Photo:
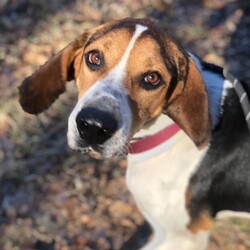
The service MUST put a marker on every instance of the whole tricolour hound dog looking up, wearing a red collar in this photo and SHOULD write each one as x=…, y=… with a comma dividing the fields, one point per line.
x=177, y=117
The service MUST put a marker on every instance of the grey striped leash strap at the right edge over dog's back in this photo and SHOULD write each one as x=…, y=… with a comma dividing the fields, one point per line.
x=241, y=93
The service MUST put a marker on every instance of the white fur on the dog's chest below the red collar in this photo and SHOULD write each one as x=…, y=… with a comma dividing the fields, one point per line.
x=159, y=185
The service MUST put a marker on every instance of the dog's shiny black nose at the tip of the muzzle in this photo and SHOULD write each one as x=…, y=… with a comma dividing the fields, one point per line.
x=95, y=126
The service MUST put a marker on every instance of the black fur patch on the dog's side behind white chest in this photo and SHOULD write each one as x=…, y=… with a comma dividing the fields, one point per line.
x=222, y=181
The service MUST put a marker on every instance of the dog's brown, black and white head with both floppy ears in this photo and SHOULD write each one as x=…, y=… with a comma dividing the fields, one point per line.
x=127, y=73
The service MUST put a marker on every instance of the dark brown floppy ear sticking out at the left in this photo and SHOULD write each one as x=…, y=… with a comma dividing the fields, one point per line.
x=39, y=91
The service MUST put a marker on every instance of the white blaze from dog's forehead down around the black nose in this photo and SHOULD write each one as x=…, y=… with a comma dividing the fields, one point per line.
x=110, y=89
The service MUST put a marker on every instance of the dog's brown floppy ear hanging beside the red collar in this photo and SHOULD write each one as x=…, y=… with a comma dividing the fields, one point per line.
x=190, y=109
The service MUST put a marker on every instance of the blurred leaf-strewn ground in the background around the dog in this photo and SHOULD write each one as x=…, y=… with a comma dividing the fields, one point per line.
x=52, y=198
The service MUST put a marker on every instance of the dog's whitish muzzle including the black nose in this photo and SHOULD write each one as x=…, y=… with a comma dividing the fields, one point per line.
x=101, y=122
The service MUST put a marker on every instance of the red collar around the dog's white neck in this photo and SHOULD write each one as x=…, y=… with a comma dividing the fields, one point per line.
x=149, y=142
